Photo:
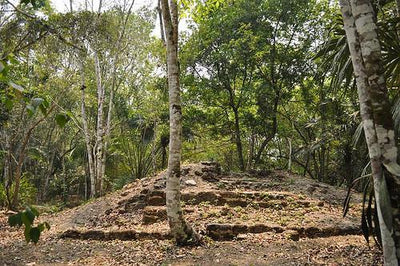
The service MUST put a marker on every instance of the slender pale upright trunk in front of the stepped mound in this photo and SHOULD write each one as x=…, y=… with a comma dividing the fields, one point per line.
x=182, y=232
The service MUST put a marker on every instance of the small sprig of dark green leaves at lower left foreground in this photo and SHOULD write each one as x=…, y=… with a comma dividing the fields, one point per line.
x=26, y=218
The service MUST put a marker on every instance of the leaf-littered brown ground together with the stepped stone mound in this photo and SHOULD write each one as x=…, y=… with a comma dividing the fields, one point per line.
x=256, y=218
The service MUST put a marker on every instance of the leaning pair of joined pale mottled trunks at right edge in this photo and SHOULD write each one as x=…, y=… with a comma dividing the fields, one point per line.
x=358, y=18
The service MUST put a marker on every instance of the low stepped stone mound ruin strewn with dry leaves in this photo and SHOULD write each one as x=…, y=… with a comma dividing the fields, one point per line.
x=219, y=205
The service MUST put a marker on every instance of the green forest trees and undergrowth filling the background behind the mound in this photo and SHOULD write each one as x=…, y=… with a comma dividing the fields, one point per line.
x=84, y=94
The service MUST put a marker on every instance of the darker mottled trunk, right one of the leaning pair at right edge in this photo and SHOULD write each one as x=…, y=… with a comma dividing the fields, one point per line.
x=371, y=53
